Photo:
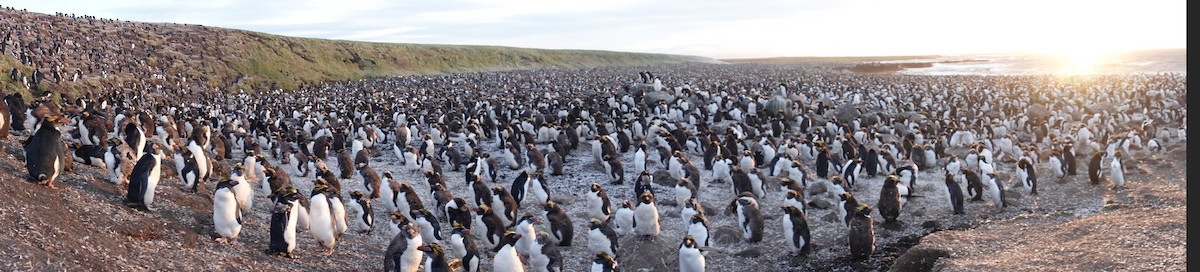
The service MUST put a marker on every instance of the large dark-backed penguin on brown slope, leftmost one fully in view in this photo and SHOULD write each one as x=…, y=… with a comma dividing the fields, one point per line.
x=45, y=153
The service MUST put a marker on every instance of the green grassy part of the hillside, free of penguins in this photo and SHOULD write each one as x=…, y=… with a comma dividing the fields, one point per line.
x=285, y=63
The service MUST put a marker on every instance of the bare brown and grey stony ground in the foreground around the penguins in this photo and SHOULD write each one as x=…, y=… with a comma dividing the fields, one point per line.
x=1071, y=227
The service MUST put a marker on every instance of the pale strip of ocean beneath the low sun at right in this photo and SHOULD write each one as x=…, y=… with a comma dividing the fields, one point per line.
x=1143, y=62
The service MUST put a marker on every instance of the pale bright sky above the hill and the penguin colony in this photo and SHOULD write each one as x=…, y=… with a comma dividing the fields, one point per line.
x=704, y=28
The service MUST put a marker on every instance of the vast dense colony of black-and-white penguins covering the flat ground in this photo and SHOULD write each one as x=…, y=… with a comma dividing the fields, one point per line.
x=467, y=180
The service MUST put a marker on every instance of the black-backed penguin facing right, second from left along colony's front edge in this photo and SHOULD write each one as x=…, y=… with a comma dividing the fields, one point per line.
x=145, y=179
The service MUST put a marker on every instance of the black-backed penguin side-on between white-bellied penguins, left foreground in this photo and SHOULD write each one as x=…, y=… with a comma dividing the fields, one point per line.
x=284, y=221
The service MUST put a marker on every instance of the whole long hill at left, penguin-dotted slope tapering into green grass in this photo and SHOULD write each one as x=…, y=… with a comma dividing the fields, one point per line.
x=115, y=55
